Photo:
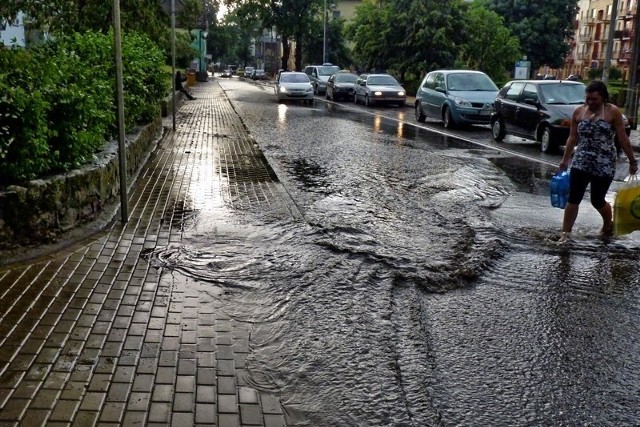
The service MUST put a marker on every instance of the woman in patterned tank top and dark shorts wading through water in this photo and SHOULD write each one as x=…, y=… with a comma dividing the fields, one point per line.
x=594, y=127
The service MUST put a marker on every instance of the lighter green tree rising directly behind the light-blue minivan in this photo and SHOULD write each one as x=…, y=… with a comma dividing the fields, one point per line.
x=489, y=45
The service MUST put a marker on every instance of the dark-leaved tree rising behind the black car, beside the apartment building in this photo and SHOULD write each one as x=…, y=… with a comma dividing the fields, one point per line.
x=542, y=27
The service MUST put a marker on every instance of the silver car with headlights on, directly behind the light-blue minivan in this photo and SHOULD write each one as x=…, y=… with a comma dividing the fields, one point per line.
x=375, y=89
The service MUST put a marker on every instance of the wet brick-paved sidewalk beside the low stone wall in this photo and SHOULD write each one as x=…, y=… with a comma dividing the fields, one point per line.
x=96, y=335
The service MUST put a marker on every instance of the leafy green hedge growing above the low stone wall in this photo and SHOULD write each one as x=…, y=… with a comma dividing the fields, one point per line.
x=57, y=100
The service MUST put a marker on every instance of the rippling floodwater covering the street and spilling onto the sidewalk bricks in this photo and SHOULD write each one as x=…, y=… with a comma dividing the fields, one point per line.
x=418, y=282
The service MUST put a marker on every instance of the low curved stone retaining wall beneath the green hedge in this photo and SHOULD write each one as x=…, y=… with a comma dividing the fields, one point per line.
x=43, y=209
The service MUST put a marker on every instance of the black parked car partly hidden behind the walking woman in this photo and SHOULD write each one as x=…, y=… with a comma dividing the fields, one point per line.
x=539, y=110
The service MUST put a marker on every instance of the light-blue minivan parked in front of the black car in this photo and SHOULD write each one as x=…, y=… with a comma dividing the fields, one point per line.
x=457, y=97
